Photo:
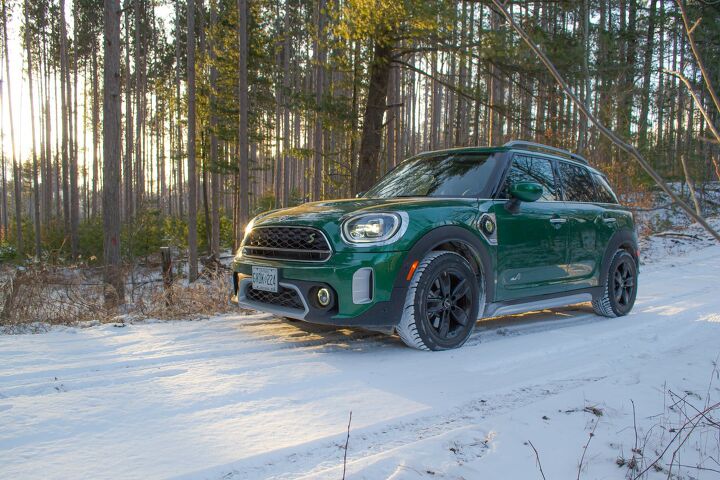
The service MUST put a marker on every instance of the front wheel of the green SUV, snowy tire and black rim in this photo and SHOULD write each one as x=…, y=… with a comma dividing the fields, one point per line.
x=441, y=305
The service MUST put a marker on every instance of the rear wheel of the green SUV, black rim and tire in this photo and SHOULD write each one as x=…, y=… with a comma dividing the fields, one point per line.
x=621, y=283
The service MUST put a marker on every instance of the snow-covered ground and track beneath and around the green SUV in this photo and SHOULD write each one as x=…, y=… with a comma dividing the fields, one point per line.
x=251, y=397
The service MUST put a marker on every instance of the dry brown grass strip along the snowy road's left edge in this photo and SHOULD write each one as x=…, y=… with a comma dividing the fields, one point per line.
x=38, y=296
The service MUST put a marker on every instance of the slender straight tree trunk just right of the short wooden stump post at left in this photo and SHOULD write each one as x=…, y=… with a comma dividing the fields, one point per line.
x=192, y=169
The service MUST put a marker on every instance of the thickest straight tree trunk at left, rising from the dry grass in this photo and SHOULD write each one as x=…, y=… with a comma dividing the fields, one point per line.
x=111, y=154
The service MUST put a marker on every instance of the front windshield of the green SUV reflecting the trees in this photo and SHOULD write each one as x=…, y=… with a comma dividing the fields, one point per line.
x=438, y=175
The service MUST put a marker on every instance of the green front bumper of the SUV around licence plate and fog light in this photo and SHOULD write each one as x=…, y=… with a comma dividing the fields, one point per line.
x=298, y=283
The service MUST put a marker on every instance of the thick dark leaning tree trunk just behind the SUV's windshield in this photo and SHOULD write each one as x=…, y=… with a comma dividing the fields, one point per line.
x=371, y=141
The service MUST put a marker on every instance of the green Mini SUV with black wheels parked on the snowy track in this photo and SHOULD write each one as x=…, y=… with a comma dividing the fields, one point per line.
x=444, y=239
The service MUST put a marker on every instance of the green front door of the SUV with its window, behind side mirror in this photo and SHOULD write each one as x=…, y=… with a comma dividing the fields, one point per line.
x=532, y=243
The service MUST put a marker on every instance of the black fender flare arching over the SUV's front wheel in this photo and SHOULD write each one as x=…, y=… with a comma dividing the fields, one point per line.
x=445, y=234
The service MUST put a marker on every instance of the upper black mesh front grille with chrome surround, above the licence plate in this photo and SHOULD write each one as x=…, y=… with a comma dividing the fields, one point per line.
x=287, y=243
